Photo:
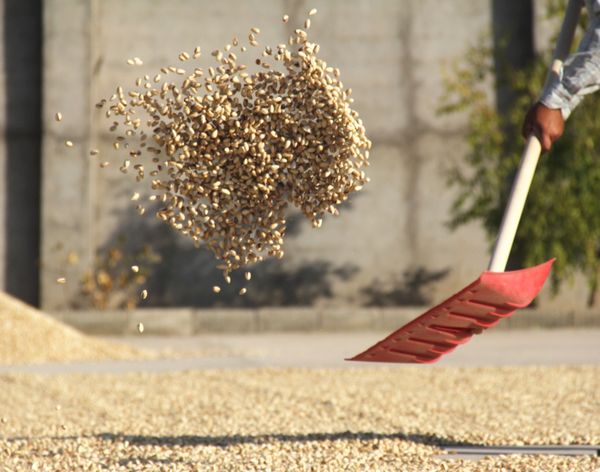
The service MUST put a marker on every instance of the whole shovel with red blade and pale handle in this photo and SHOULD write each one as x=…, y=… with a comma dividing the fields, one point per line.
x=495, y=294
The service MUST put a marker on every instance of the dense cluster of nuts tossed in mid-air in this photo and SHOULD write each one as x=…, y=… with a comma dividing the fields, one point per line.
x=228, y=147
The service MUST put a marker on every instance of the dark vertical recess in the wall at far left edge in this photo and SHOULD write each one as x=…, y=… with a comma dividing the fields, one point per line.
x=22, y=70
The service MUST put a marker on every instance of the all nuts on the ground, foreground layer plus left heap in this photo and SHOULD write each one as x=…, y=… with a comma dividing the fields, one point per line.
x=110, y=408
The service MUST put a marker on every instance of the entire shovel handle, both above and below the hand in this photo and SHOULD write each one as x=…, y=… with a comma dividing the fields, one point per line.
x=532, y=151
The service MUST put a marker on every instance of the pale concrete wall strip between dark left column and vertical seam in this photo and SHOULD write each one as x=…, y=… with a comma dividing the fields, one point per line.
x=68, y=184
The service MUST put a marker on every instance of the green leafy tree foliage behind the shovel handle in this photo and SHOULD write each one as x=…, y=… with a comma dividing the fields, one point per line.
x=562, y=215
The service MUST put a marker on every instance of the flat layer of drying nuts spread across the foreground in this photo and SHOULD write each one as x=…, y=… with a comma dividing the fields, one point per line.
x=296, y=419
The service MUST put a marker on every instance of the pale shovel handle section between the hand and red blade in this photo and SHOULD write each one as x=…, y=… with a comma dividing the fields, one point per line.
x=516, y=203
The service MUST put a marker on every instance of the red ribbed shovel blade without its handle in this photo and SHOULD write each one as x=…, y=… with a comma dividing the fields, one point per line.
x=481, y=305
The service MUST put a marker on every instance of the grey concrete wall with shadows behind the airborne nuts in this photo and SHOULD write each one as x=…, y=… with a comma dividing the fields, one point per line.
x=390, y=243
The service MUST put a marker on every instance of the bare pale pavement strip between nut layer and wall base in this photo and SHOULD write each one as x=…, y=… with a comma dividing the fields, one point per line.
x=317, y=350
